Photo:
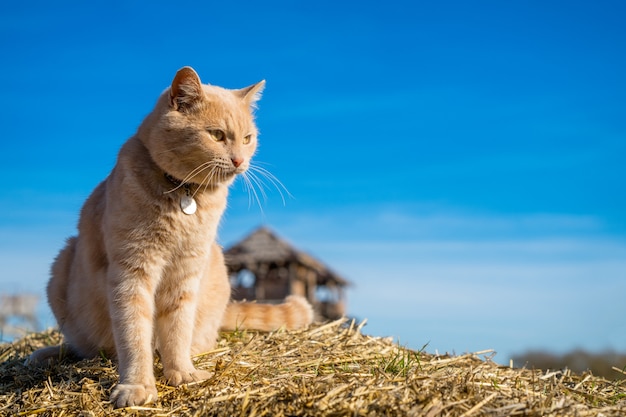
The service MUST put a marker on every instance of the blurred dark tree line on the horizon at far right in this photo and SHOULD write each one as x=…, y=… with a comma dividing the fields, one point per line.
x=599, y=364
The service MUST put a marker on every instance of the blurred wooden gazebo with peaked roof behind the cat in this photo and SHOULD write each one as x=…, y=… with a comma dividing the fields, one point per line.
x=265, y=268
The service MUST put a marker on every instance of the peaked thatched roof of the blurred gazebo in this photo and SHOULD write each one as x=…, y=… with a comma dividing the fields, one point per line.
x=264, y=247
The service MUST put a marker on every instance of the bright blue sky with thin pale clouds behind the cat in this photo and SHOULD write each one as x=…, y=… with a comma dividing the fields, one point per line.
x=461, y=162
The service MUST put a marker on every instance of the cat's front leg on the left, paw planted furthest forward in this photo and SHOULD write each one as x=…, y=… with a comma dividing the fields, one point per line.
x=131, y=305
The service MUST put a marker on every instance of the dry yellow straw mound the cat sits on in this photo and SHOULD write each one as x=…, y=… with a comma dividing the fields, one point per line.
x=329, y=370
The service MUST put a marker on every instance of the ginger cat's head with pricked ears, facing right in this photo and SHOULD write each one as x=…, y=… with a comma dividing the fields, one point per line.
x=203, y=134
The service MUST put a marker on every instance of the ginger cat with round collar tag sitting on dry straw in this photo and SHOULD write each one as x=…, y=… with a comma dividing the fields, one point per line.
x=144, y=272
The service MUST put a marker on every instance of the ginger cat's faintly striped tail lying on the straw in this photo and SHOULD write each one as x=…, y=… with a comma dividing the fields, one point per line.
x=294, y=313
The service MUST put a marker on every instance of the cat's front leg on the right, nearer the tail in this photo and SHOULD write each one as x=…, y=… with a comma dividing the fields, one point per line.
x=176, y=305
